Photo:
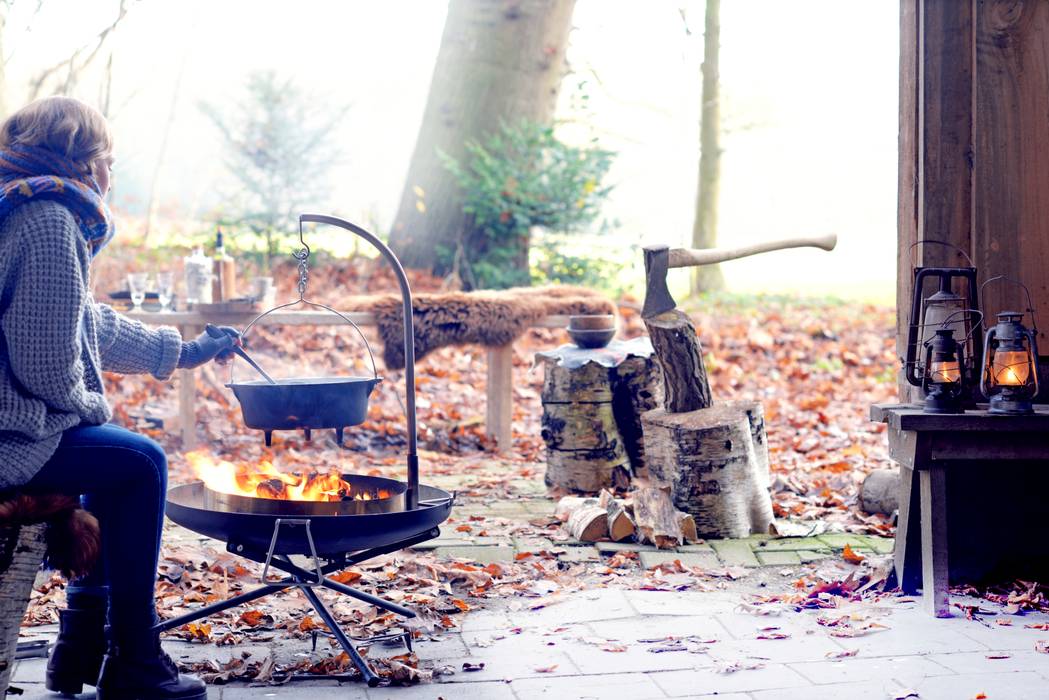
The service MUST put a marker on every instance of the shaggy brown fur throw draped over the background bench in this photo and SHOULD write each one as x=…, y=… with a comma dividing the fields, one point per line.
x=490, y=319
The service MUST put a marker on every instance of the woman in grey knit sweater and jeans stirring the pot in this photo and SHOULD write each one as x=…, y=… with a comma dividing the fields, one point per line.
x=56, y=159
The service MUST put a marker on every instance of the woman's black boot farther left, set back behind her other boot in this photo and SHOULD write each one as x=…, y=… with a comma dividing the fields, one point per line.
x=77, y=657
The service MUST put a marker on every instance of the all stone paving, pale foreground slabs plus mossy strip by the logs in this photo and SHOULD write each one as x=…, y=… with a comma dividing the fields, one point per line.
x=596, y=645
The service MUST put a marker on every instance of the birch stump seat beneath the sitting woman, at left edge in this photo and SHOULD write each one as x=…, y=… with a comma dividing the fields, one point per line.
x=22, y=554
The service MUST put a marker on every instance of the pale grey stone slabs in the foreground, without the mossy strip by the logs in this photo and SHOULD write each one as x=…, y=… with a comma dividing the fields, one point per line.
x=563, y=652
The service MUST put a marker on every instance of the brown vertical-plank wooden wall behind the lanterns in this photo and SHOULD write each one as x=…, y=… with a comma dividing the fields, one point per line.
x=974, y=166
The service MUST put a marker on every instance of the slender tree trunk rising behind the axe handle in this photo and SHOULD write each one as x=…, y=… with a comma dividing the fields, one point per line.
x=709, y=278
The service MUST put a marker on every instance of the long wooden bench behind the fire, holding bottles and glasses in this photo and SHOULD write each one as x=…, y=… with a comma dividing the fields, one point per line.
x=499, y=412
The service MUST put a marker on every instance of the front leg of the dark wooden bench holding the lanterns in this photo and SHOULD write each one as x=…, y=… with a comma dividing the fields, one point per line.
x=934, y=542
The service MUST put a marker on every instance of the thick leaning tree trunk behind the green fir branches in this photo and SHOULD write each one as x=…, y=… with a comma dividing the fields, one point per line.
x=499, y=62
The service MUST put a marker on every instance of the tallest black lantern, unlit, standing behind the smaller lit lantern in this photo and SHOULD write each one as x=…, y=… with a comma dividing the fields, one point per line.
x=953, y=305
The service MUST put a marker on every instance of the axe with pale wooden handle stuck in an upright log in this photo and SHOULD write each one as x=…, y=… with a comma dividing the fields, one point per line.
x=660, y=259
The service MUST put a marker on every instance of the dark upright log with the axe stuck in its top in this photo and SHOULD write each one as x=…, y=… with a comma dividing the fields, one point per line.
x=680, y=355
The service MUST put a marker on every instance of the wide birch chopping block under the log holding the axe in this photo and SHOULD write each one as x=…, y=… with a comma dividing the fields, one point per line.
x=715, y=462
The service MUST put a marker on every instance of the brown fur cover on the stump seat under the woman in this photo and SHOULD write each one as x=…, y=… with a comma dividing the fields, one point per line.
x=73, y=534
